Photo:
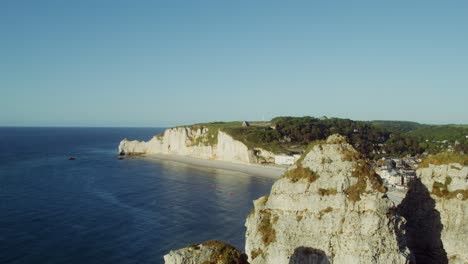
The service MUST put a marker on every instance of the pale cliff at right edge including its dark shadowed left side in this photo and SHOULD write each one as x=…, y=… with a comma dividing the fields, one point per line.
x=436, y=209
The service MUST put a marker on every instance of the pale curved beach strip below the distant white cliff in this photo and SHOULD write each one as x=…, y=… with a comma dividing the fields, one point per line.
x=270, y=171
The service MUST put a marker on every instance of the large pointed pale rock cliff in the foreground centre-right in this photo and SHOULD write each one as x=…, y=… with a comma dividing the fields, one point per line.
x=329, y=208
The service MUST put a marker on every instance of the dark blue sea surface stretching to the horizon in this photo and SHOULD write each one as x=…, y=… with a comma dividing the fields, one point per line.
x=99, y=209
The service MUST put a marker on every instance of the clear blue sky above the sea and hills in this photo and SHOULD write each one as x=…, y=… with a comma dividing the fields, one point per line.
x=163, y=63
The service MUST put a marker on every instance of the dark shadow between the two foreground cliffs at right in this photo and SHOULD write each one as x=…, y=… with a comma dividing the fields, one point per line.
x=423, y=226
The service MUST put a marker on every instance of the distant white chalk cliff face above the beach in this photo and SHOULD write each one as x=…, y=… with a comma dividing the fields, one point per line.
x=201, y=142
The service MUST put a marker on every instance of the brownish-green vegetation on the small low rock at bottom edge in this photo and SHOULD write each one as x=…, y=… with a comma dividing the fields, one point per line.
x=225, y=253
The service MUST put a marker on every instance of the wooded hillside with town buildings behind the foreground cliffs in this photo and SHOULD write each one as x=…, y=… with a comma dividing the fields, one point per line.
x=394, y=148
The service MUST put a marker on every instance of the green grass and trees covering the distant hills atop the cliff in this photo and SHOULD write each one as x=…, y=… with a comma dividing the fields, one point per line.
x=396, y=138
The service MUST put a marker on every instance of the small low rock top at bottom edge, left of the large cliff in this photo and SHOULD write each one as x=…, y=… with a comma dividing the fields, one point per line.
x=210, y=252
